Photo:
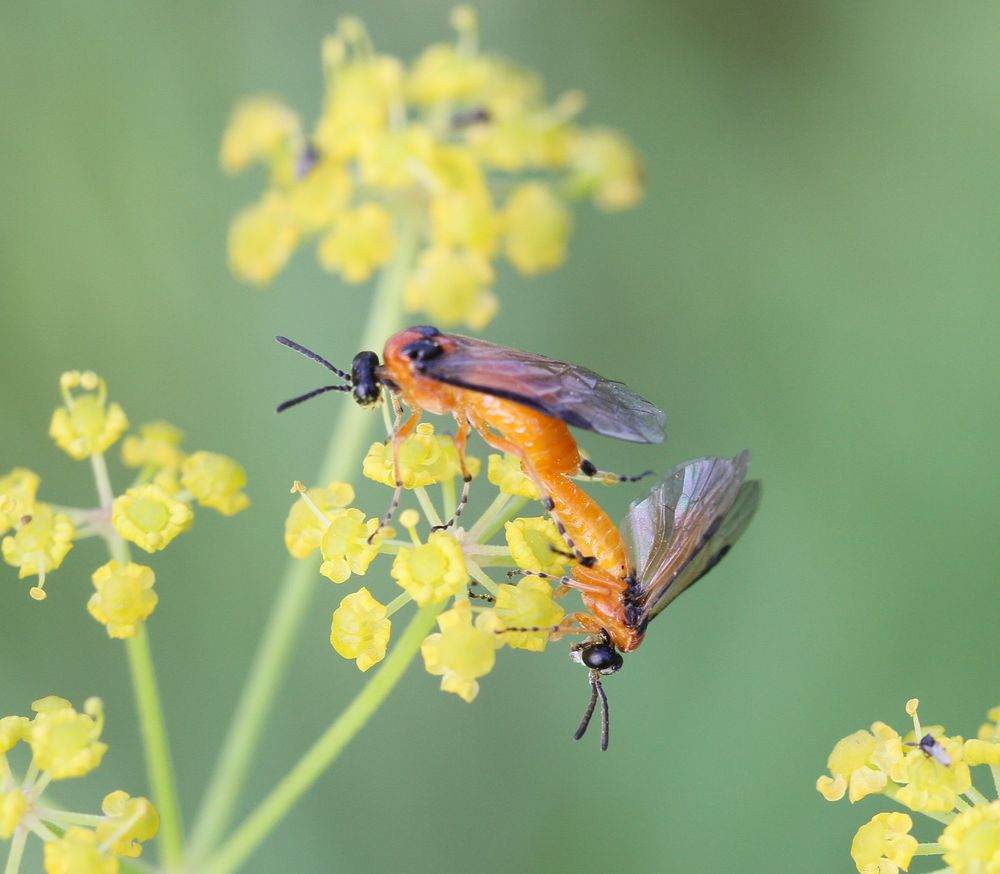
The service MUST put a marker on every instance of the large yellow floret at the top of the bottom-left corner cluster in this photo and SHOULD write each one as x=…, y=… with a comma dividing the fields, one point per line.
x=64, y=742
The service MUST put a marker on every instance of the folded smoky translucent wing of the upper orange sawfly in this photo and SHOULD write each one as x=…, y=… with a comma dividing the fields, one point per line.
x=574, y=394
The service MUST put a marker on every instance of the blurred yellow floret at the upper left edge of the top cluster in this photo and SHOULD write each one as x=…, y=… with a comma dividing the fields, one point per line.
x=260, y=128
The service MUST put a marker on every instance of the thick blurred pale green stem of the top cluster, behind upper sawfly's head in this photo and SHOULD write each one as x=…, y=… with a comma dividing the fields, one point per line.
x=347, y=443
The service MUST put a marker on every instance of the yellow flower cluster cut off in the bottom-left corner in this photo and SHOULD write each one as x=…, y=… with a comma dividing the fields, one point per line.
x=65, y=744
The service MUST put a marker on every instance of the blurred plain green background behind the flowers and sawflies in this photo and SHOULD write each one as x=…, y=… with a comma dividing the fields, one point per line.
x=813, y=275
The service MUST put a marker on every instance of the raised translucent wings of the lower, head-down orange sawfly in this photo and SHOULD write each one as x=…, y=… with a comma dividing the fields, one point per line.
x=685, y=526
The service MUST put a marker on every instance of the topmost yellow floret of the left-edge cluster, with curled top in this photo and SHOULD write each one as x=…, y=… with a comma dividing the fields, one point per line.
x=87, y=424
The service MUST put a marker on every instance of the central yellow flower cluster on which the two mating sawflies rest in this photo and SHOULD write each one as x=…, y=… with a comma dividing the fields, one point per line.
x=437, y=569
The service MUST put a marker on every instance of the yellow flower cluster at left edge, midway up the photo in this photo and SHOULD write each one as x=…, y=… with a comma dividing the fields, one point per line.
x=150, y=514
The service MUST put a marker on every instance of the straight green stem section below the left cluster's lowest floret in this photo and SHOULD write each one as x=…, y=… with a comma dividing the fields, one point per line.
x=154, y=737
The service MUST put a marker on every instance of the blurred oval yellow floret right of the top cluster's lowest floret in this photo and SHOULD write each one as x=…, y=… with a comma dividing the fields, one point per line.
x=537, y=225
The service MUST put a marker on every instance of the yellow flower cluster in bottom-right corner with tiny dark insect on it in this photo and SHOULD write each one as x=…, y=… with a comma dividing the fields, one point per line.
x=928, y=772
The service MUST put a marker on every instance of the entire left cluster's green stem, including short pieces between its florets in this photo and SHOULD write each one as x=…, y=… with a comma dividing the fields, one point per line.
x=159, y=766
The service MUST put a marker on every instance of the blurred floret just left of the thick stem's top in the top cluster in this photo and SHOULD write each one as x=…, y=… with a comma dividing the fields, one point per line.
x=361, y=240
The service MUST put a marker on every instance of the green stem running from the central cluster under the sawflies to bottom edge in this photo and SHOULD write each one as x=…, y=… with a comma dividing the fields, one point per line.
x=325, y=751
